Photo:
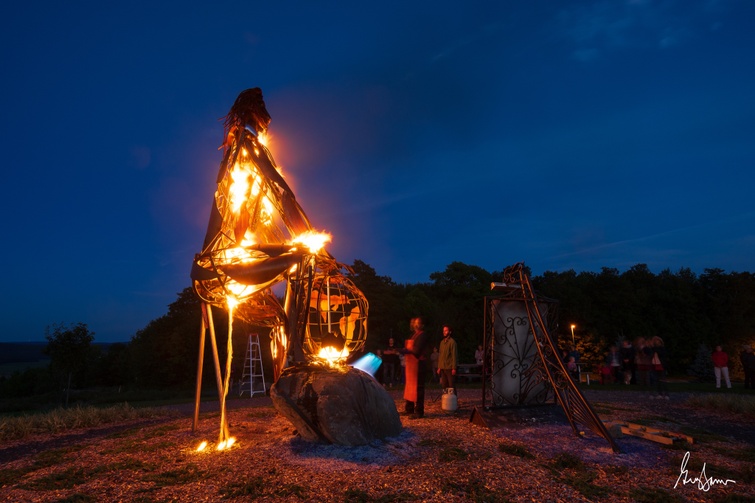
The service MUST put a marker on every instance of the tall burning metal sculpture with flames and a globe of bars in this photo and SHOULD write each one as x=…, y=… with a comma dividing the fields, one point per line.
x=259, y=237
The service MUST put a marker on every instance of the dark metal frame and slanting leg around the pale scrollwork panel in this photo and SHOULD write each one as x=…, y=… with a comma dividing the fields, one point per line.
x=547, y=368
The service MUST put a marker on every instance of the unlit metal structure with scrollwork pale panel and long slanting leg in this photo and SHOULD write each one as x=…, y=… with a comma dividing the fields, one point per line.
x=522, y=363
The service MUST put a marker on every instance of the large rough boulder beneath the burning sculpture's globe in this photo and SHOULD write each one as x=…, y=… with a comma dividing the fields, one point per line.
x=335, y=405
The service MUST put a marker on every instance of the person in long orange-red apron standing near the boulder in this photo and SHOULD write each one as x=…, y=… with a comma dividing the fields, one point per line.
x=416, y=368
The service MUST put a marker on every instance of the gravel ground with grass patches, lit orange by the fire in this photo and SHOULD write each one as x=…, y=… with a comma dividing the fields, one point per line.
x=529, y=455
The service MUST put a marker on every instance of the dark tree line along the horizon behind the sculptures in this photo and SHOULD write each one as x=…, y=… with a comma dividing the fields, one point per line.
x=692, y=313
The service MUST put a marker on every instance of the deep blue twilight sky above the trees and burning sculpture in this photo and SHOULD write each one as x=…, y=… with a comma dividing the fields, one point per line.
x=565, y=134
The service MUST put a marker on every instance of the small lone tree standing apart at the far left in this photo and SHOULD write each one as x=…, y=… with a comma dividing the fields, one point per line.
x=70, y=351
